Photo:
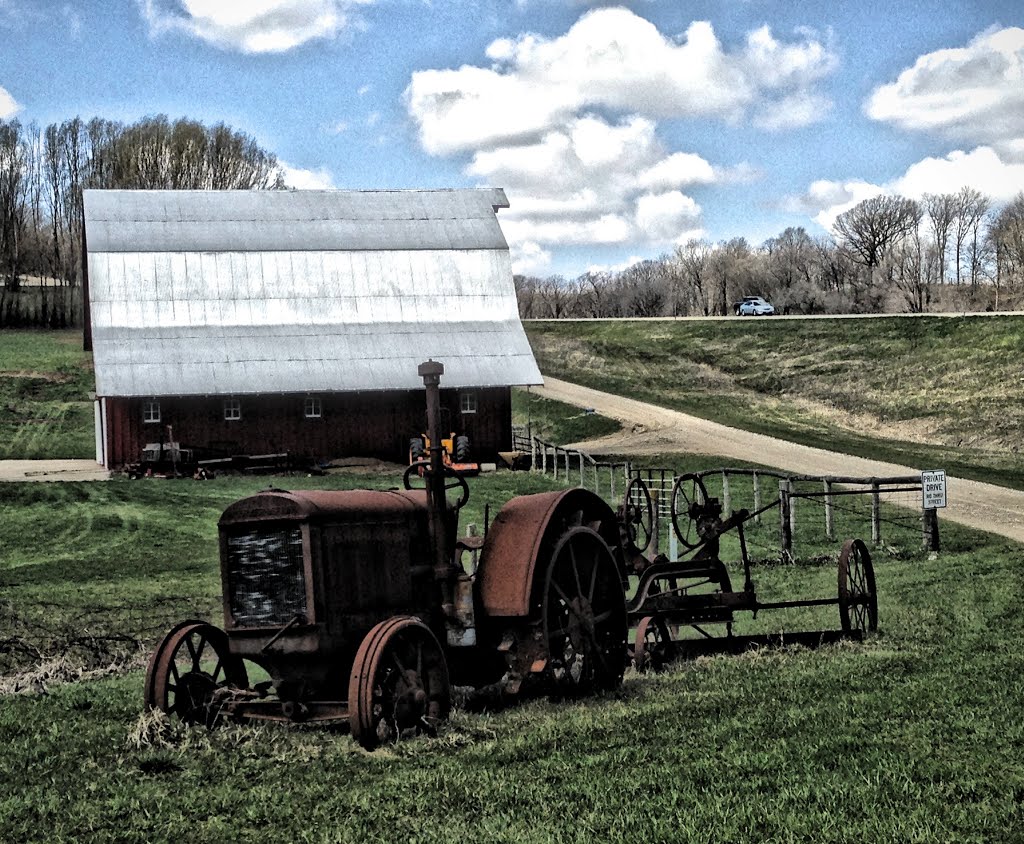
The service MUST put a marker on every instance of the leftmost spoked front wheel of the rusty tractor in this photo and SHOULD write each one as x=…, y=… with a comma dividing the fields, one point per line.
x=188, y=671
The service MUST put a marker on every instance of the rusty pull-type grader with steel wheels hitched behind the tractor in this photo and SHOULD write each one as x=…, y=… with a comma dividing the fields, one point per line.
x=694, y=595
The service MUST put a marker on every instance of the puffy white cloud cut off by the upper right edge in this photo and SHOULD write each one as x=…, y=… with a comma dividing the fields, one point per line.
x=975, y=93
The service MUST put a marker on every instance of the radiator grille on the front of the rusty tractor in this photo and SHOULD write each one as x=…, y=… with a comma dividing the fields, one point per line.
x=266, y=577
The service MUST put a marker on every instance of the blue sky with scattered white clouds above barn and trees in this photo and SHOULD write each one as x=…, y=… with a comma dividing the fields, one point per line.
x=618, y=131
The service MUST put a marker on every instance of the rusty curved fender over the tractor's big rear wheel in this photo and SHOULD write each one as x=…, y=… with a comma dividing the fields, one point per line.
x=522, y=539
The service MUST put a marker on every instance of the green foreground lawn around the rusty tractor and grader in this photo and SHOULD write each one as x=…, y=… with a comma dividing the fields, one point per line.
x=914, y=736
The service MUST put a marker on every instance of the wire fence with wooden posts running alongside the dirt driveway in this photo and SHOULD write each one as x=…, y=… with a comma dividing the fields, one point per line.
x=791, y=516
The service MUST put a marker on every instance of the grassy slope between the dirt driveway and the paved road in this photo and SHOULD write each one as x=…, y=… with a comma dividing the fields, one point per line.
x=926, y=393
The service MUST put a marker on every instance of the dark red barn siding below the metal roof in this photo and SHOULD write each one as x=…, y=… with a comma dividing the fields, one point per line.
x=361, y=425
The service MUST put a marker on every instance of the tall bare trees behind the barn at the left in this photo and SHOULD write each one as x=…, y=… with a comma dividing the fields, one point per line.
x=45, y=171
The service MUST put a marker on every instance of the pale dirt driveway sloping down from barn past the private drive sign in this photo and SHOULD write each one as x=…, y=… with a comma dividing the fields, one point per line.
x=651, y=430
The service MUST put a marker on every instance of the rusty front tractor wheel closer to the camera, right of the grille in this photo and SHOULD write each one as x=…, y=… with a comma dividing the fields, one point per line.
x=400, y=684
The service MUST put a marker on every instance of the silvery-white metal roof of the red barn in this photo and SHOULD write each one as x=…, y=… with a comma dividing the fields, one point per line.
x=242, y=292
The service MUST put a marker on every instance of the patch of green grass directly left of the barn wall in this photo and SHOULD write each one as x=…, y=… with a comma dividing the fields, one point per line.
x=46, y=411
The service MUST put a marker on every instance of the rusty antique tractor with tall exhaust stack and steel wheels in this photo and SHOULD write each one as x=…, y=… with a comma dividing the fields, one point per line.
x=364, y=607
